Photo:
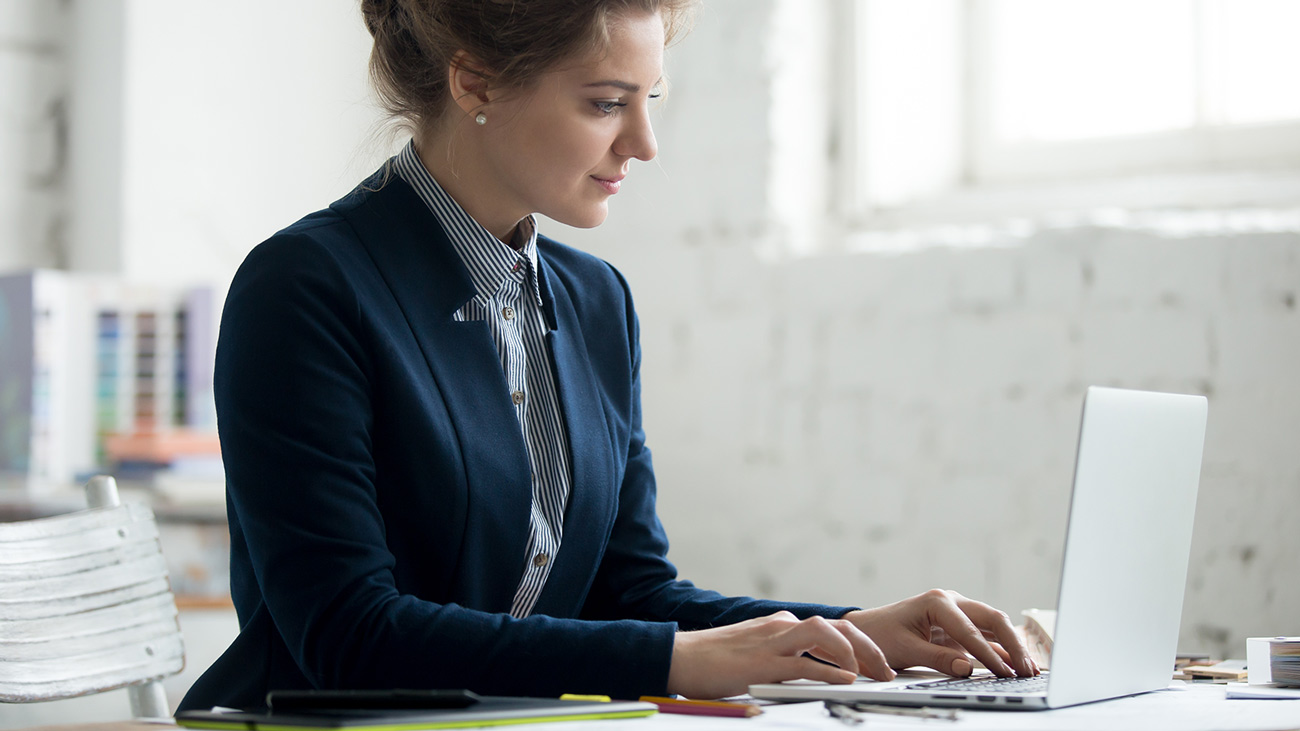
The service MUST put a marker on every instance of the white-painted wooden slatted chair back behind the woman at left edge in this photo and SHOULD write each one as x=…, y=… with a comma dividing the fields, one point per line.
x=86, y=607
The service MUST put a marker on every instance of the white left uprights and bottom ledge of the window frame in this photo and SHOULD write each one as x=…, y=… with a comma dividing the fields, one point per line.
x=1030, y=178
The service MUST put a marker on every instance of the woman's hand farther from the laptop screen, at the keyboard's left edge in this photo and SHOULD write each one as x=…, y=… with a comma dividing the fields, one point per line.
x=725, y=661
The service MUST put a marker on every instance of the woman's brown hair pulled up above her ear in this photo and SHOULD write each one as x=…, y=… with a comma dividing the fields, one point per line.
x=514, y=41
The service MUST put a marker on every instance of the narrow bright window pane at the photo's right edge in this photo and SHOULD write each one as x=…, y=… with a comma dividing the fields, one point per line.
x=1263, y=60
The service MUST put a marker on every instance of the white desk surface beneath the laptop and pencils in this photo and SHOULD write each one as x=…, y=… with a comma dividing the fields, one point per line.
x=1197, y=708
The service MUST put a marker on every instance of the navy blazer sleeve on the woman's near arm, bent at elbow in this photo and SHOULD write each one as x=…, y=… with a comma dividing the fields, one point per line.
x=296, y=419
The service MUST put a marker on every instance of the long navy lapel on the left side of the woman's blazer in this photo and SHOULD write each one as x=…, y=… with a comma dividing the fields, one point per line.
x=431, y=284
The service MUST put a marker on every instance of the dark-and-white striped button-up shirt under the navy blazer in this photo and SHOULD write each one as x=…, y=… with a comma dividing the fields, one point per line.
x=509, y=300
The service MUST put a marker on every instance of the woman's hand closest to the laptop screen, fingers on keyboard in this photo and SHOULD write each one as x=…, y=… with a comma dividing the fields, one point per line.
x=939, y=629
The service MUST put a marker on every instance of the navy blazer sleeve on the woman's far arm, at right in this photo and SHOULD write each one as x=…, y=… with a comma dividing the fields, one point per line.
x=636, y=579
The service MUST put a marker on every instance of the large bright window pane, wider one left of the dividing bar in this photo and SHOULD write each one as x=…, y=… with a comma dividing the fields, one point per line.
x=1067, y=70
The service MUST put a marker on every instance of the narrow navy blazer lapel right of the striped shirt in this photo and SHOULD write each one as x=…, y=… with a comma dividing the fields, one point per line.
x=593, y=498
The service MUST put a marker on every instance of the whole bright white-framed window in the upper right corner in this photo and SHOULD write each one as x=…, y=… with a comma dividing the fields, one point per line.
x=963, y=94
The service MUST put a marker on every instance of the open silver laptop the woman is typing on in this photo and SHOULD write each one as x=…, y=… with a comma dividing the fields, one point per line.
x=1121, y=598
